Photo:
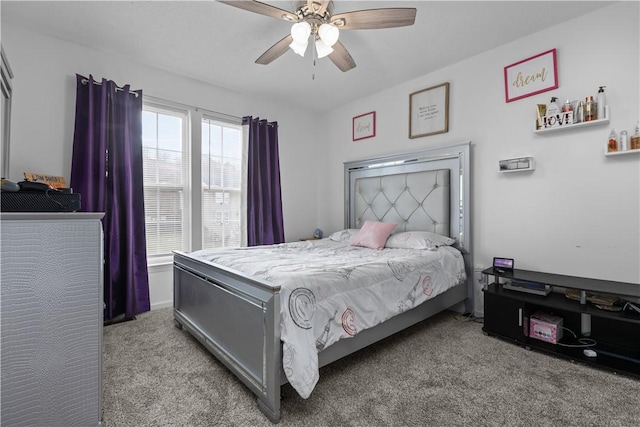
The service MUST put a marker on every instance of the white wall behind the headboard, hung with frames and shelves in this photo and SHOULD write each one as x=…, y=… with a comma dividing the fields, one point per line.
x=578, y=212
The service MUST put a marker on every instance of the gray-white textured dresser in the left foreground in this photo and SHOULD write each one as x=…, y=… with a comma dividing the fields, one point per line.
x=51, y=319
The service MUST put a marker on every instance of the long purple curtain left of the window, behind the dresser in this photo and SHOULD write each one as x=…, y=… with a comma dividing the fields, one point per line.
x=106, y=169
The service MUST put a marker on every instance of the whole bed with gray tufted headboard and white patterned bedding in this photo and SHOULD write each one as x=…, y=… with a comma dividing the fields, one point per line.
x=241, y=315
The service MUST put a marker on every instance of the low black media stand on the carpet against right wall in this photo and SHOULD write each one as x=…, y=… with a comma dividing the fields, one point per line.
x=617, y=334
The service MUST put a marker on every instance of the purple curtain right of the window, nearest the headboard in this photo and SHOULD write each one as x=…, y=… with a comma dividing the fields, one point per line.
x=264, y=199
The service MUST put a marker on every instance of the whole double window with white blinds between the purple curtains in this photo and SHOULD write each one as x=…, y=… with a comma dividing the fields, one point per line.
x=185, y=217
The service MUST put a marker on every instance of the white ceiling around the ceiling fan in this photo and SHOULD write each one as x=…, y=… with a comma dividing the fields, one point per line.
x=218, y=44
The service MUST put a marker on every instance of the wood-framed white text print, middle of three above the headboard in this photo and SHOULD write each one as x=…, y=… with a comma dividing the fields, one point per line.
x=429, y=111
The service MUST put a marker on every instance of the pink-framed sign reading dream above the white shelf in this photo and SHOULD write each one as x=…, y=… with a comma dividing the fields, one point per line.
x=531, y=76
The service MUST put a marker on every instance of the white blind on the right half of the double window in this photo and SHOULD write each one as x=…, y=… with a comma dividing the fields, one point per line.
x=221, y=183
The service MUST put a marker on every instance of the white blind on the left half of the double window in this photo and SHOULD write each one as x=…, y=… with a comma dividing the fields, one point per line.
x=165, y=146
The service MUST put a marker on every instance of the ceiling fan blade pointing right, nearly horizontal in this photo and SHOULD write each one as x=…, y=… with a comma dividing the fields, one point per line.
x=375, y=18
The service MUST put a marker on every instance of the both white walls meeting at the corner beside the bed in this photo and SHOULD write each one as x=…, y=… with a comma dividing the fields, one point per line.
x=577, y=213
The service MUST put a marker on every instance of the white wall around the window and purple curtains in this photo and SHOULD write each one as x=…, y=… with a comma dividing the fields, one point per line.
x=43, y=120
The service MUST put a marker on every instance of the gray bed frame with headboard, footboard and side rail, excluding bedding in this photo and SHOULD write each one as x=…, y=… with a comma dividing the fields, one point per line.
x=237, y=317
